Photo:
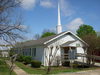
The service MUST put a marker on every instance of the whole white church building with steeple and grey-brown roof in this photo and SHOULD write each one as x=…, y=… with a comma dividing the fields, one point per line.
x=65, y=45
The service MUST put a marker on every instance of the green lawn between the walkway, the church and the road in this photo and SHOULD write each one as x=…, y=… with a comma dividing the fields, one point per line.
x=54, y=70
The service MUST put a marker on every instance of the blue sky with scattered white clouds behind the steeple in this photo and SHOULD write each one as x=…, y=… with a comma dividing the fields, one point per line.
x=39, y=15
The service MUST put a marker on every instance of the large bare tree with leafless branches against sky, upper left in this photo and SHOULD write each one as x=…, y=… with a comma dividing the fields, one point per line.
x=10, y=26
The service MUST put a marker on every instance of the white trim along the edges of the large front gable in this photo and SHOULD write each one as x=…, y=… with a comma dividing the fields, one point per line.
x=62, y=35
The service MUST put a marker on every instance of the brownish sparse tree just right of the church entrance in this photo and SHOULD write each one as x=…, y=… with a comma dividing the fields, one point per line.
x=92, y=41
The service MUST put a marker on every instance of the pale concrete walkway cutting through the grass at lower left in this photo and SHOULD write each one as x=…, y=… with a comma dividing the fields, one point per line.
x=16, y=69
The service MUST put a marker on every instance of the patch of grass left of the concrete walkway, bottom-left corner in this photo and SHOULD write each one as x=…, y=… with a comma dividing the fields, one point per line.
x=4, y=68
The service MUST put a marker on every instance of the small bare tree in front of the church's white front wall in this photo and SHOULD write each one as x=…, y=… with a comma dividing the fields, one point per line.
x=51, y=56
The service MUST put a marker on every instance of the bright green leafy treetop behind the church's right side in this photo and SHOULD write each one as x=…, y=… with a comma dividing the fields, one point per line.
x=85, y=30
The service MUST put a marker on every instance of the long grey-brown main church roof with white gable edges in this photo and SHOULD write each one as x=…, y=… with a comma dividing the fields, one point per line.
x=43, y=41
